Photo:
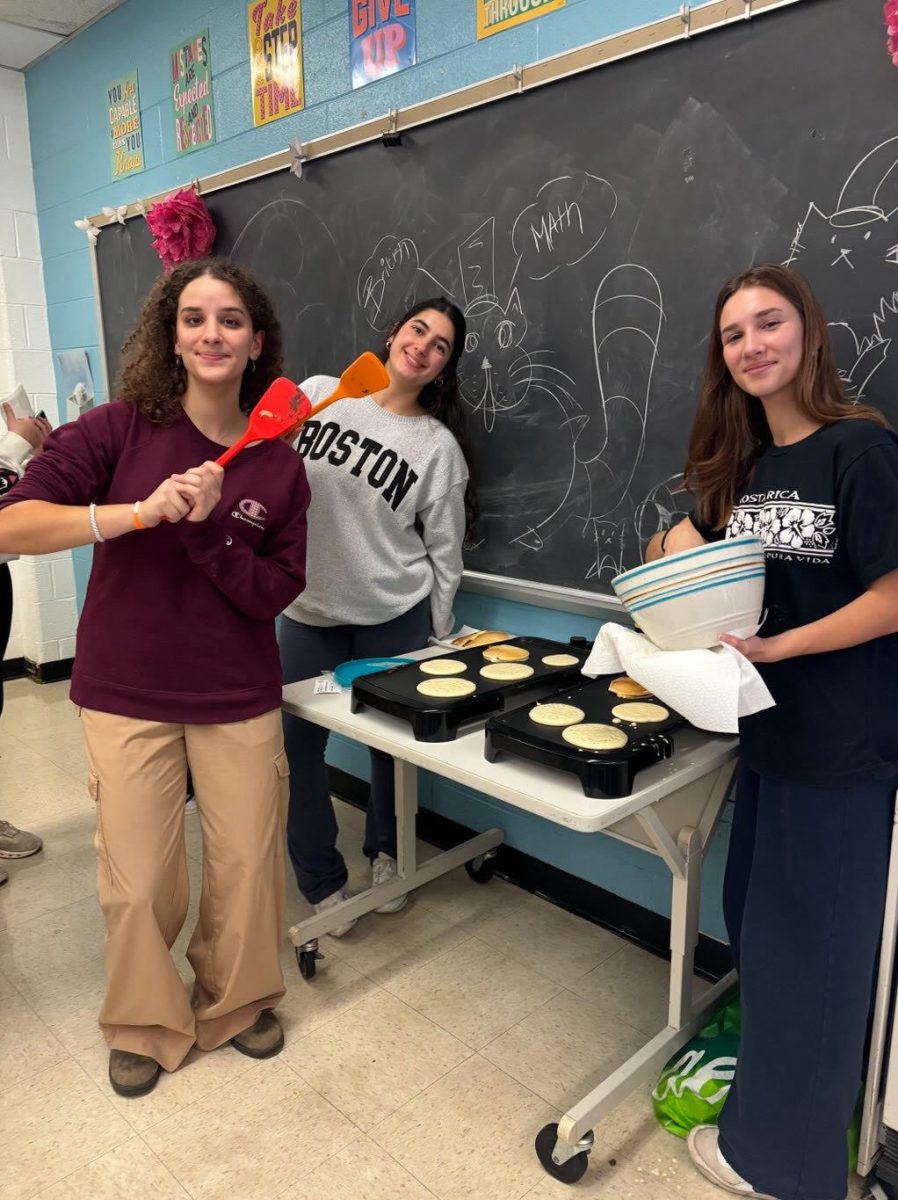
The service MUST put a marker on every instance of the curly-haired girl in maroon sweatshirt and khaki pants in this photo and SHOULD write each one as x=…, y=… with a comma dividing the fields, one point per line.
x=177, y=665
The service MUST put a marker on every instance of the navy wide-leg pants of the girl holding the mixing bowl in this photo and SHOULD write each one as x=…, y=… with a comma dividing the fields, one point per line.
x=804, y=901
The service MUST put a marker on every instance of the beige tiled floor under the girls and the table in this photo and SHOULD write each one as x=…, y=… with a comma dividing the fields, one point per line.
x=421, y=1064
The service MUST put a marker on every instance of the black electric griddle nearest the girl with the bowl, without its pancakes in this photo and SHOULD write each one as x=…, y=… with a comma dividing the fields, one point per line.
x=601, y=772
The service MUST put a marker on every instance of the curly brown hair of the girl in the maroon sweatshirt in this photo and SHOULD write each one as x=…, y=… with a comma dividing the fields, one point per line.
x=152, y=379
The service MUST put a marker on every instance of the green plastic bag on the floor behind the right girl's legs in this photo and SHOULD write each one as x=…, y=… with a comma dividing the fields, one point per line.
x=696, y=1083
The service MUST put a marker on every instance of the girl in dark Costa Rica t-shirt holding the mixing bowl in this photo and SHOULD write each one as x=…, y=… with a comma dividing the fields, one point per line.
x=777, y=449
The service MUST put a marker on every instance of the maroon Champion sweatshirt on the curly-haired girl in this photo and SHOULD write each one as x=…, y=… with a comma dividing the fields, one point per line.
x=179, y=621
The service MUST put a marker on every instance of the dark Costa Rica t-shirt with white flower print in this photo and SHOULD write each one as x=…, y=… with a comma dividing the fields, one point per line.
x=827, y=509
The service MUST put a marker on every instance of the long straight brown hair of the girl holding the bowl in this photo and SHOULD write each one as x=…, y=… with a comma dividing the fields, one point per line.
x=731, y=430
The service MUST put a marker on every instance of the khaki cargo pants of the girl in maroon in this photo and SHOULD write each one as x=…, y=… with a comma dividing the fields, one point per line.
x=139, y=782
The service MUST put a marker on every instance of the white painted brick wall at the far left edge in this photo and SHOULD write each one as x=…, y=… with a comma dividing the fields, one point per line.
x=45, y=614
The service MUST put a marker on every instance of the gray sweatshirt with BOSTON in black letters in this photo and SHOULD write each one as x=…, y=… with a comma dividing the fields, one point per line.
x=387, y=518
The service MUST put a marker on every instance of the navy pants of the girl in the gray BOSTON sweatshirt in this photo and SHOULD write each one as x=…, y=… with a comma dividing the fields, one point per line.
x=312, y=825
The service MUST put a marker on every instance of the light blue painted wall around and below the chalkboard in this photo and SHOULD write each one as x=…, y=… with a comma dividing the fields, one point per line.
x=71, y=169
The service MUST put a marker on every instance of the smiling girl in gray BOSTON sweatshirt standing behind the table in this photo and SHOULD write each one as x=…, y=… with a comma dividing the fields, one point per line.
x=391, y=502
